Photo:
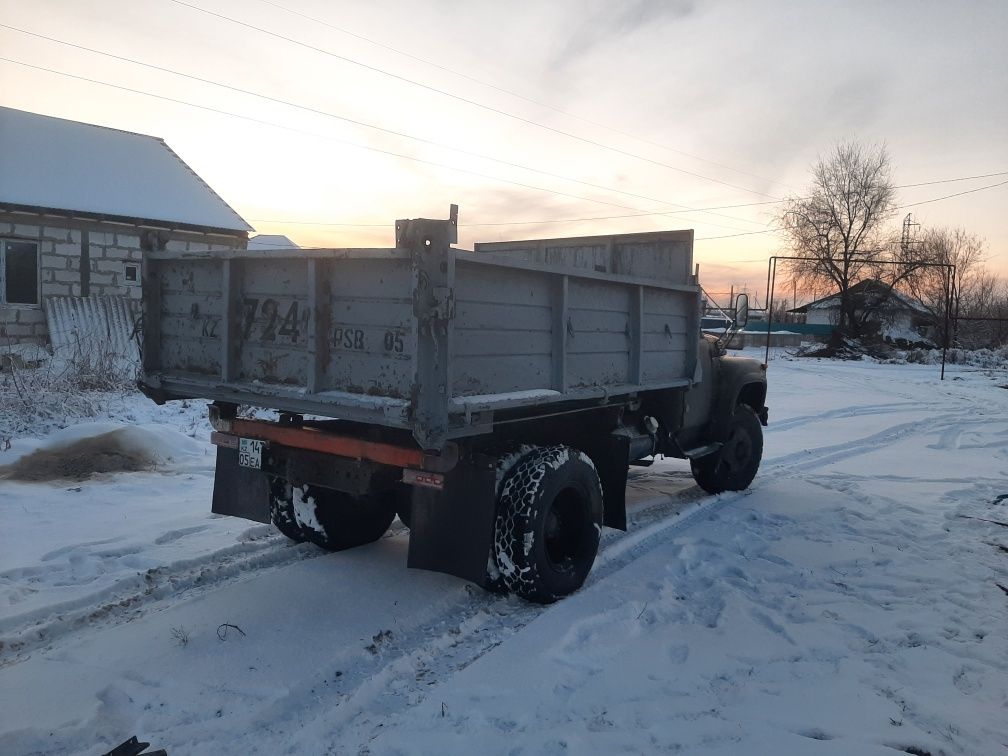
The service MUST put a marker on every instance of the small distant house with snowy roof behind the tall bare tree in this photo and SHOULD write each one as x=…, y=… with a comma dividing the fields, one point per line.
x=898, y=316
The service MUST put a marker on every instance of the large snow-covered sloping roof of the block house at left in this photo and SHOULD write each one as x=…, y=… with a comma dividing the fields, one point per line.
x=58, y=165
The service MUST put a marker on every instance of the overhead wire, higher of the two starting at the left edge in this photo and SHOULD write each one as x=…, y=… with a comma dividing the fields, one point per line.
x=346, y=119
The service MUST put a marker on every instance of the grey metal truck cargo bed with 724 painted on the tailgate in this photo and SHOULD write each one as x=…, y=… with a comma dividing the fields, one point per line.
x=424, y=337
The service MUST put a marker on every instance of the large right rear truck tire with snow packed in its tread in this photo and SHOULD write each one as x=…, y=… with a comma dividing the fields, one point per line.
x=549, y=523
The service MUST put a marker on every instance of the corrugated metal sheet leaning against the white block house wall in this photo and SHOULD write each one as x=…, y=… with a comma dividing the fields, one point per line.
x=79, y=323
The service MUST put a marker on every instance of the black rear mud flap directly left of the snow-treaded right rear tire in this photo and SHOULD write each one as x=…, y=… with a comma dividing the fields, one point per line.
x=452, y=531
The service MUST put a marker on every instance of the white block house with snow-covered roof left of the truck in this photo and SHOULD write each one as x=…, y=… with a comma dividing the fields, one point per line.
x=79, y=207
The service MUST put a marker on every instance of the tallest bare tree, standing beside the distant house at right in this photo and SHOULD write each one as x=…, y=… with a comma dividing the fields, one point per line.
x=839, y=227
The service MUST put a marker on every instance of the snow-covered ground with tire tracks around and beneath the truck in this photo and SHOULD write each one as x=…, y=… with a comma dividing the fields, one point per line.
x=855, y=601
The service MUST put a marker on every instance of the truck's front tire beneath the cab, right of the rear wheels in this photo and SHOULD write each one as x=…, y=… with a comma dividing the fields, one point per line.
x=734, y=466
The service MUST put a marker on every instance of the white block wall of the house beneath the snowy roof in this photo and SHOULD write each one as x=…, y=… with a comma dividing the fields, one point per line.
x=65, y=270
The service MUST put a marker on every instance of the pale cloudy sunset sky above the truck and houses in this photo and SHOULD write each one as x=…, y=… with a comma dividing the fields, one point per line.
x=326, y=121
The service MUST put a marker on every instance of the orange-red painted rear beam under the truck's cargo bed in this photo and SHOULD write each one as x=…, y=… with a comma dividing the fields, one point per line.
x=315, y=440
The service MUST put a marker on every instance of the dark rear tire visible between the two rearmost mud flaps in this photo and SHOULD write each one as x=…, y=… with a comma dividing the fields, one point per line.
x=336, y=522
